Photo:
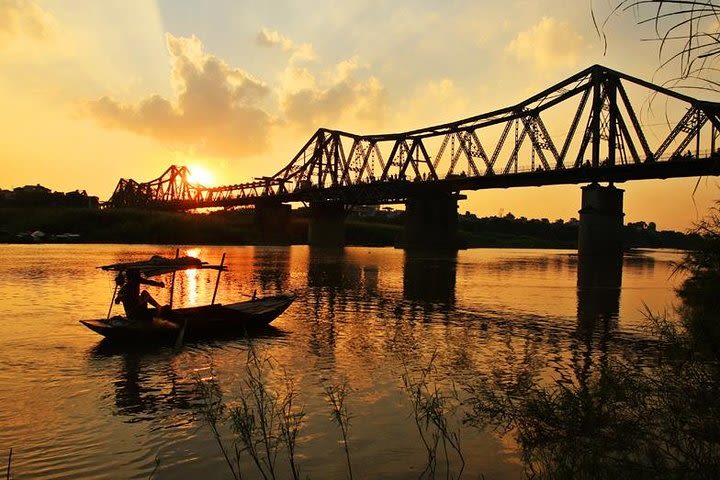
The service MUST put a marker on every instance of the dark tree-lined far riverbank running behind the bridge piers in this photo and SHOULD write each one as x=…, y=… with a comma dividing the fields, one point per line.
x=61, y=224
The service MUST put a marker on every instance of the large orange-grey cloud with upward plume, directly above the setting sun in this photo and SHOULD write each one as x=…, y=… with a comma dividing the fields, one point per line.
x=215, y=109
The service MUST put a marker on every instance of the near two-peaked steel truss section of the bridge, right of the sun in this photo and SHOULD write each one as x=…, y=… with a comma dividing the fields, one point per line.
x=612, y=135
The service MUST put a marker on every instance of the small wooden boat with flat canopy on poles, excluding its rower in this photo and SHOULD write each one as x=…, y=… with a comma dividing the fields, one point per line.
x=190, y=322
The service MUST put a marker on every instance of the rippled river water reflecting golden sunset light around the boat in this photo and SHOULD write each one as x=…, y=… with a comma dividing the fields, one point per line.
x=72, y=407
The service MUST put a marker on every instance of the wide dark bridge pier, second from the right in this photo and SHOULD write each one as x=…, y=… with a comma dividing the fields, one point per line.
x=431, y=222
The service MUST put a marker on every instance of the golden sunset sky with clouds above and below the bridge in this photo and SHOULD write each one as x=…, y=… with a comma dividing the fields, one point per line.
x=94, y=91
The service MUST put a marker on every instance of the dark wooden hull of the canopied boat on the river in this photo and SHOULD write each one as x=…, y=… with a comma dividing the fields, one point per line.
x=198, y=322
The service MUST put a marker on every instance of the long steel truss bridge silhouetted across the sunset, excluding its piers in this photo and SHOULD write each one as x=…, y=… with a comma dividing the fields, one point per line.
x=581, y=130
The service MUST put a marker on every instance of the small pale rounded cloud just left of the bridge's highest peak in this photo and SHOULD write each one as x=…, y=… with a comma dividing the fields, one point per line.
x=549, y=43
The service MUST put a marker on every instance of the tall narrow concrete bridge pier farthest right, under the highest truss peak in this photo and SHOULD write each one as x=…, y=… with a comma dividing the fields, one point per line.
x=601, y=222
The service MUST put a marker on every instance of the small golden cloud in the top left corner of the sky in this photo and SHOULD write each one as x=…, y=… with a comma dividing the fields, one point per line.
x=24, y=17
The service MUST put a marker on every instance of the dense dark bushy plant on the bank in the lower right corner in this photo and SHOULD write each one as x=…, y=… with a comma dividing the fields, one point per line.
x=607, y=417
